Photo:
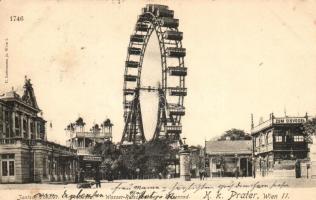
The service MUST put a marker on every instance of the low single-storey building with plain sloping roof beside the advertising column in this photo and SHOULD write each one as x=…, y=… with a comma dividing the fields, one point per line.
x=228, y=158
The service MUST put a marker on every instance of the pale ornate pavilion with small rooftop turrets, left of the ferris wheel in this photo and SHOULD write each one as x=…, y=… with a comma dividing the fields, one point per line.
x=85, y=141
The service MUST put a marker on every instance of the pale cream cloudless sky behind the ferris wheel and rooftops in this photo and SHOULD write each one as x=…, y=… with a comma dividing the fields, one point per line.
x=243, y=57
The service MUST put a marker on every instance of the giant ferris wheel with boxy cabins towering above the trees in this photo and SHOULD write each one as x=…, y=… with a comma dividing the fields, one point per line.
x=171, y=91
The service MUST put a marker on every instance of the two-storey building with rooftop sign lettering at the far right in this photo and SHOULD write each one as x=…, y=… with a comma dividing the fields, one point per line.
x=278, y=144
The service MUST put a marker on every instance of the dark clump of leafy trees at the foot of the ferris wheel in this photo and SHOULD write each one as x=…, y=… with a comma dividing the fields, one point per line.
x=131, y=161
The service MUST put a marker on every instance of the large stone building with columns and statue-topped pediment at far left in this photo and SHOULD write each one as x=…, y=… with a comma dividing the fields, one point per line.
x=25, y=154
